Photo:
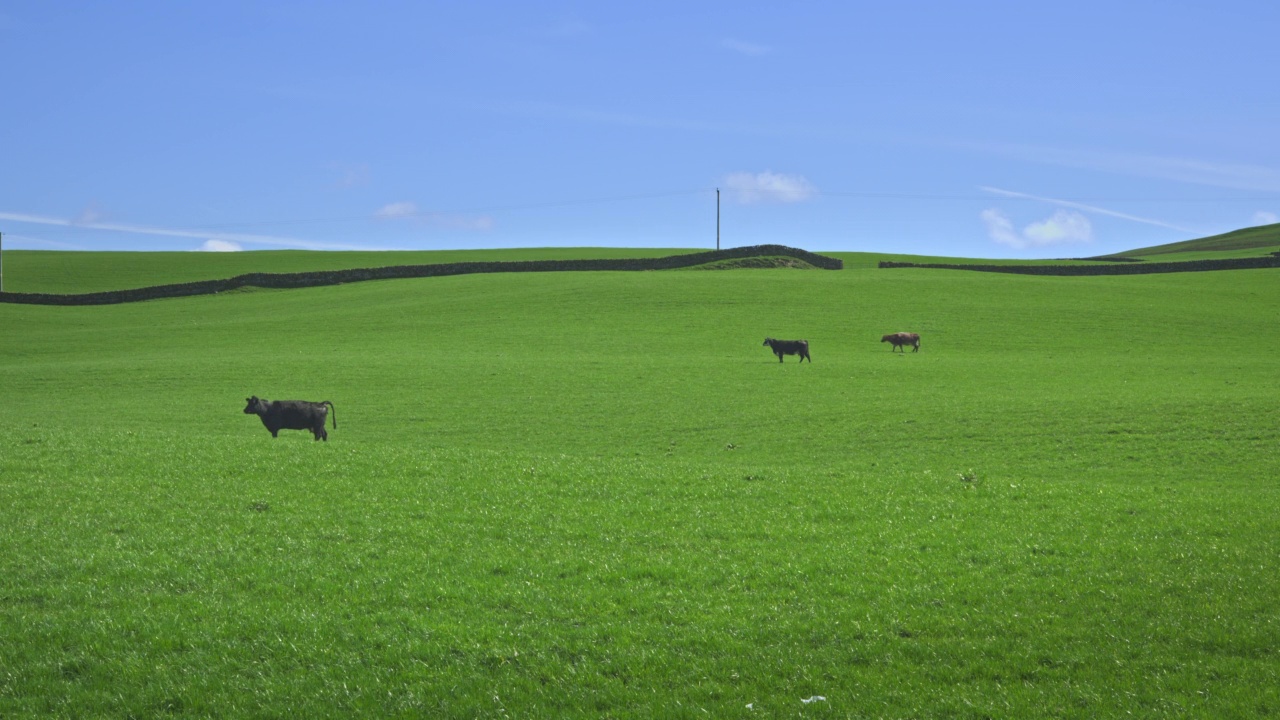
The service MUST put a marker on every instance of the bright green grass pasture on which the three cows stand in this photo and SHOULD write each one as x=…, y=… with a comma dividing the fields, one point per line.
x=597, y=495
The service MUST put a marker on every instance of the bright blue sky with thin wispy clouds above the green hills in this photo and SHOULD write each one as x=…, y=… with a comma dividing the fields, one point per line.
x=993, y=130
